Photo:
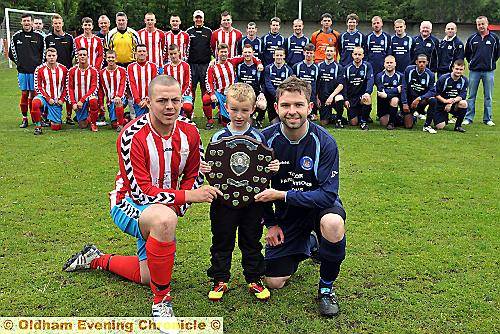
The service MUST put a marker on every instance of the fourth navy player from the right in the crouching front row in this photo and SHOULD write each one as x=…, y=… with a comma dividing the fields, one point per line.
x=359, y=87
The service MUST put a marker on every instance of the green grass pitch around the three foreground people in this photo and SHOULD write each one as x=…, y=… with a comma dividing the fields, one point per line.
x=423, y=234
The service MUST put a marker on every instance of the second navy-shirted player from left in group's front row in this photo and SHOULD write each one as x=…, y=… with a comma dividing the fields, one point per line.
x=274, y=75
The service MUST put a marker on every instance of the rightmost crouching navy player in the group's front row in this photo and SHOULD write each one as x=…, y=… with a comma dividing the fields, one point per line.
x=451, y=91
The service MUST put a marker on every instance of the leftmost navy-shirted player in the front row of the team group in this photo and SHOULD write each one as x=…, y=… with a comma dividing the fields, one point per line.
x=248, y=73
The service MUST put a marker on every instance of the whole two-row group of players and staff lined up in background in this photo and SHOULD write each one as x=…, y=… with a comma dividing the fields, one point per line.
x=114, y=67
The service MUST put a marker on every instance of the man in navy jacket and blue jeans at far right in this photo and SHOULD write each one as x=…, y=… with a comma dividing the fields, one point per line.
x=481, y=51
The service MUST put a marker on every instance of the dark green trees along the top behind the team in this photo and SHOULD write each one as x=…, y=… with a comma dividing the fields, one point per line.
x=437, y=11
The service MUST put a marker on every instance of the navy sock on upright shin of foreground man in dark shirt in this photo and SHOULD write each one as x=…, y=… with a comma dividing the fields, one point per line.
x=331, y=256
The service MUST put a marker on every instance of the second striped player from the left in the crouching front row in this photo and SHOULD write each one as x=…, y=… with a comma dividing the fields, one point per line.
x=83, y=83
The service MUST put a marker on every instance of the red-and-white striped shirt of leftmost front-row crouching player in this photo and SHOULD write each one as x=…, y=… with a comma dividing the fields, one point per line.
x=51, y=83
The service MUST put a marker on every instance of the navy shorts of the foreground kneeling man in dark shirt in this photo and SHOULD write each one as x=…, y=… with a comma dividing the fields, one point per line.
x=288, y=265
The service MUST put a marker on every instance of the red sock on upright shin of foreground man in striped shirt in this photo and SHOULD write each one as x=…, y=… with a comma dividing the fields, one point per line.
x=160, y=263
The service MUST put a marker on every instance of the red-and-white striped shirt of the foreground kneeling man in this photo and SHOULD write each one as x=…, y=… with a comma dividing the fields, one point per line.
x=157, y=169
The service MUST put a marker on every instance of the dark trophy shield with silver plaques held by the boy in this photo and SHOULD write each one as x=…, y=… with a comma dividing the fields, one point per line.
x=239, y=169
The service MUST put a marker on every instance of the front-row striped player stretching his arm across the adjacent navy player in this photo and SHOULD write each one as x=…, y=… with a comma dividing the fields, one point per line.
x=220, y=76
